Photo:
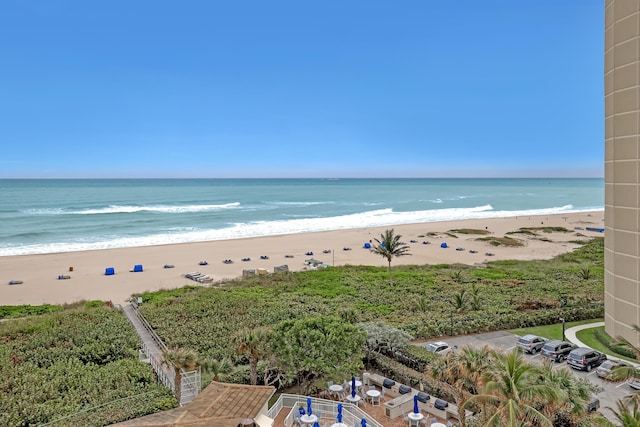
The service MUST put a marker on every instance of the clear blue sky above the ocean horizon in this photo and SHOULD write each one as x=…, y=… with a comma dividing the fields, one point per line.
x=423, y=88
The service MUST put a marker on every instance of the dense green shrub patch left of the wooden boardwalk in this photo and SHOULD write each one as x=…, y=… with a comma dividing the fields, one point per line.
x=82, y=360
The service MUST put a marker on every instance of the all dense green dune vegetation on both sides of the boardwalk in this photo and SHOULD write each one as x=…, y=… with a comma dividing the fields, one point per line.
x=61, y=363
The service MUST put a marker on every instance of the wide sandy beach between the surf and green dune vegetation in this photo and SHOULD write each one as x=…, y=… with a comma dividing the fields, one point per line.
x=39, y=273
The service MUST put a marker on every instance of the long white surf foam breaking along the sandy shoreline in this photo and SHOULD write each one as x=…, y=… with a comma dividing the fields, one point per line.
x=374, y=218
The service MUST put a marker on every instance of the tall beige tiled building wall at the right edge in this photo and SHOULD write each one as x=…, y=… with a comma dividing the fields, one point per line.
x=622, y=168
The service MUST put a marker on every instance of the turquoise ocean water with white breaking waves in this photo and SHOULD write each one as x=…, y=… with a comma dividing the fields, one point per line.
x=48, y=216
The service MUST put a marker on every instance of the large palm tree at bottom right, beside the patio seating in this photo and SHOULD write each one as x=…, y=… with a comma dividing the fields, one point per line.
x=511, y=390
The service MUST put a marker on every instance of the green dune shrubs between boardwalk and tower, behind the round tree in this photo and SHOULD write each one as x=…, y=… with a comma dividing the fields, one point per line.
x=425, y=301
